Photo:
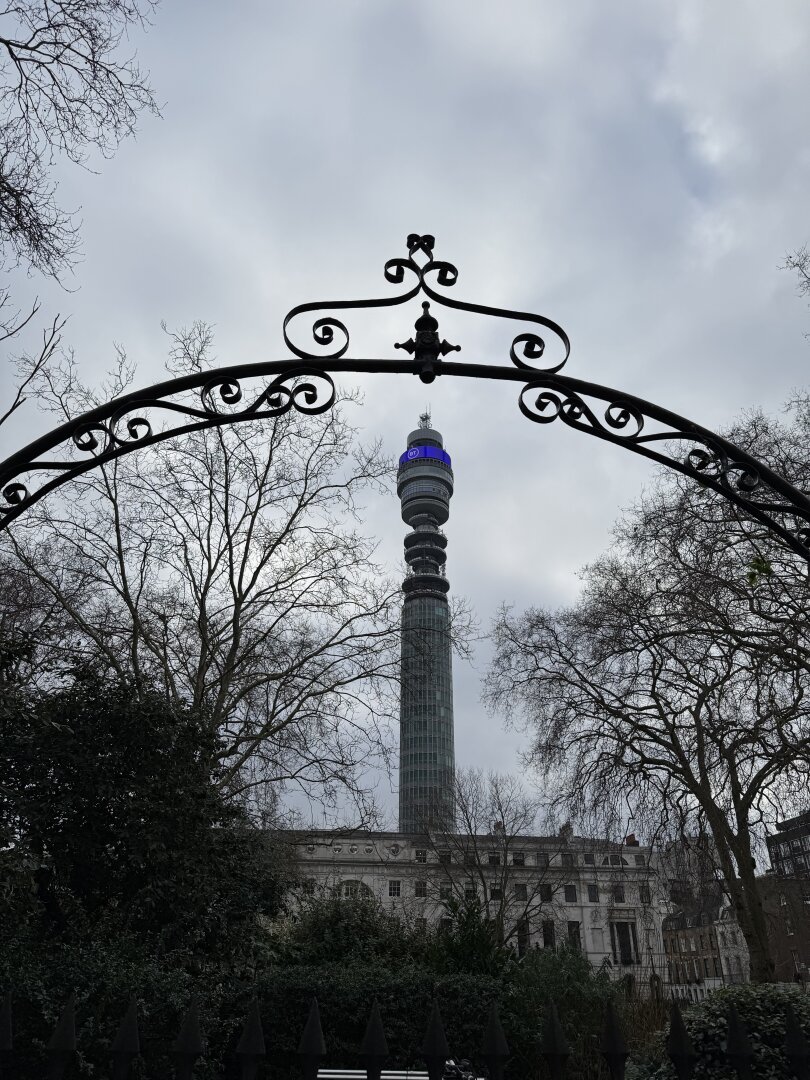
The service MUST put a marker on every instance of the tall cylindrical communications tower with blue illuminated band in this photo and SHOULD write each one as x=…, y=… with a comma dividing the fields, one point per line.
x=427, y=754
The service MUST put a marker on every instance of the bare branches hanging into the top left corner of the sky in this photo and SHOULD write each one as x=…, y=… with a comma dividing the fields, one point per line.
x=66, y=88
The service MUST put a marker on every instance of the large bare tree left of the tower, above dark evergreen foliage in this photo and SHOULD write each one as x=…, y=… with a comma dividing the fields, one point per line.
x=227, y=568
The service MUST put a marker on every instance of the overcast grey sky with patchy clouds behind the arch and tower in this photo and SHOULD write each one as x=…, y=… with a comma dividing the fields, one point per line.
x=636, y=171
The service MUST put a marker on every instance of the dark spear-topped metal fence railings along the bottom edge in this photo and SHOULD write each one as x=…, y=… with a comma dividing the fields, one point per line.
x=190, y=1047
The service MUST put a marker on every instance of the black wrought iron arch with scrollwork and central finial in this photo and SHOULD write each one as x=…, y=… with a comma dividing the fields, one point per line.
x=305, y=383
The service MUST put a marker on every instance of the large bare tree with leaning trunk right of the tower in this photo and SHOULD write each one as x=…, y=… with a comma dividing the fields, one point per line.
x=674, y=693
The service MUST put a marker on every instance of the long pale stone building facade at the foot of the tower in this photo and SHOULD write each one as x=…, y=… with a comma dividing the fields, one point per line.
x=543, y=893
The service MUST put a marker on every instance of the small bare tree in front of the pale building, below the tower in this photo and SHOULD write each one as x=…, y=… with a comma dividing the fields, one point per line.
x=485, y=856
